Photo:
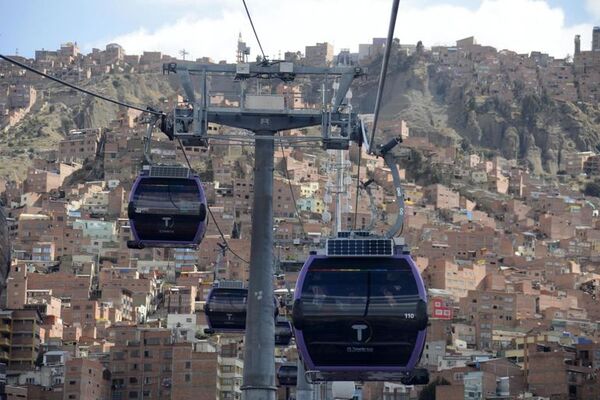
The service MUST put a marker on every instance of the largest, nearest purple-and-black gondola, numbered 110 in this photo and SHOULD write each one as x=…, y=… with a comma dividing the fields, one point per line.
x=360, y=312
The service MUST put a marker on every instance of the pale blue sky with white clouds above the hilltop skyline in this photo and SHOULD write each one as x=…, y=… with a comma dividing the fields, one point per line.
x=211, y=27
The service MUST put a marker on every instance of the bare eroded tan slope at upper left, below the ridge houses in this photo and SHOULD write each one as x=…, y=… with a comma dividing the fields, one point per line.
x=61, y=108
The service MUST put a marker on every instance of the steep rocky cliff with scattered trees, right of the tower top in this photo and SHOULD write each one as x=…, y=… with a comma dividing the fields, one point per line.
x=532, y=127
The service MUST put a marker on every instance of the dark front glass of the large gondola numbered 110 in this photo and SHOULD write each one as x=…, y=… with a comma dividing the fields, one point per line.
x=381, y=303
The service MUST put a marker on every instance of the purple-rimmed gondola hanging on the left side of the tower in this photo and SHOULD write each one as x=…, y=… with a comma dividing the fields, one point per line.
x=167, y=208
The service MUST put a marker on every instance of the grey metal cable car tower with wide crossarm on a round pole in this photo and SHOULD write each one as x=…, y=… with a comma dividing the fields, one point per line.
x=264, y=115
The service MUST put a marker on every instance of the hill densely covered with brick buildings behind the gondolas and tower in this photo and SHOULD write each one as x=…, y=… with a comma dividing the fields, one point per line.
x=507, y=248
